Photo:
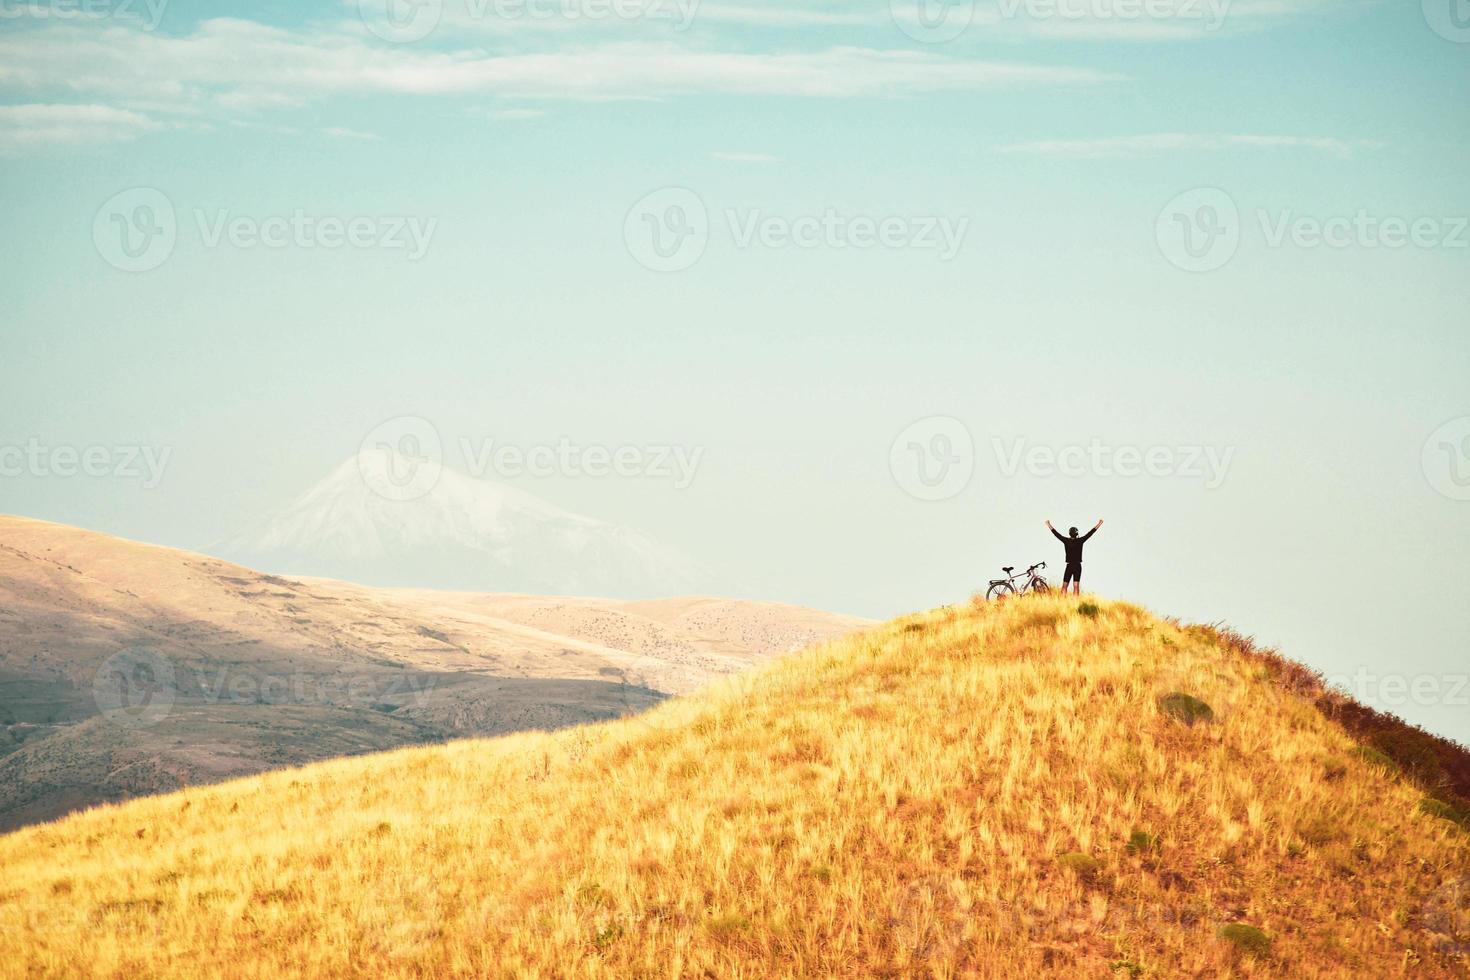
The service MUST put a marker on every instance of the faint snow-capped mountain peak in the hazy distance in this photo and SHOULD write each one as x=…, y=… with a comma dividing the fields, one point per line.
x=459, y=534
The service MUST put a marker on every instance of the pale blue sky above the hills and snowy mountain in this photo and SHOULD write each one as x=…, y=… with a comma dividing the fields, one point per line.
x=528, y=318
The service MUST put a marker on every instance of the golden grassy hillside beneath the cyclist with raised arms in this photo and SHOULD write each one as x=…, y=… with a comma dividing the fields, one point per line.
x=994, y=791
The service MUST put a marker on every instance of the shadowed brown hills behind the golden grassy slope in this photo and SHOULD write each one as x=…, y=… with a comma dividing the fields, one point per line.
x=129, y=669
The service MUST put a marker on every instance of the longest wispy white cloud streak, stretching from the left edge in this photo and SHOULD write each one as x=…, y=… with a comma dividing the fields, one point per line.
x=248, y=67
